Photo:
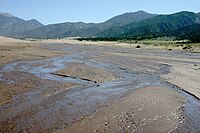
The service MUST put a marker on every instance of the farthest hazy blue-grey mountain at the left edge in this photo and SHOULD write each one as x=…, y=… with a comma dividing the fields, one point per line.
x=10, y=25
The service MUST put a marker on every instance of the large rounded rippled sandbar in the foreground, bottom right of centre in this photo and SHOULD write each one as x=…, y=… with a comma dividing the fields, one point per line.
x=148, y=109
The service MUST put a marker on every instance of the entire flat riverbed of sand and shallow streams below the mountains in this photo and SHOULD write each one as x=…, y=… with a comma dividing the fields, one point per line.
x=100, y=87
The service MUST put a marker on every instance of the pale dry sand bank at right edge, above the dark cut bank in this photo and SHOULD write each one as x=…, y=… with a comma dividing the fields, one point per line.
x=186, y=76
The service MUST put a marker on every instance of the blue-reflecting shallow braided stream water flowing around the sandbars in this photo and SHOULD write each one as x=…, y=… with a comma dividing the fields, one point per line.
x=83, y=100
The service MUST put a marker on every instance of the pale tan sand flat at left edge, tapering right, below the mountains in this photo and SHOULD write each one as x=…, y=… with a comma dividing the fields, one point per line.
x=16, y=50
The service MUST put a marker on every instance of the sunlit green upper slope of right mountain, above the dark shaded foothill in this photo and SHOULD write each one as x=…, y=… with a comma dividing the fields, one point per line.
x=157, y=26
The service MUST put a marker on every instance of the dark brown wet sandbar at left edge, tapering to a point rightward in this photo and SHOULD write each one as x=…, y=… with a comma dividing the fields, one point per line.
x=16, y=83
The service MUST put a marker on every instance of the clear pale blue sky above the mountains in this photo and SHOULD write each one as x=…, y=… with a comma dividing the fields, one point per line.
x=57, y=11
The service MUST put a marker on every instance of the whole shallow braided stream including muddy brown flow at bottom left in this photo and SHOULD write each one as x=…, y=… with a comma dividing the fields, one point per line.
x=64, y=107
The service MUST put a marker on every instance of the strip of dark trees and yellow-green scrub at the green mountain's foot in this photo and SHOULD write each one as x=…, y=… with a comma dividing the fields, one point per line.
x=168, y=43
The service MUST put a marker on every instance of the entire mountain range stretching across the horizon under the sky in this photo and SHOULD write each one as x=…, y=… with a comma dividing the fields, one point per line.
x=131, y=26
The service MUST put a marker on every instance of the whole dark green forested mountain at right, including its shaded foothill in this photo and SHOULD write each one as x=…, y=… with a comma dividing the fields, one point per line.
x=181, y=26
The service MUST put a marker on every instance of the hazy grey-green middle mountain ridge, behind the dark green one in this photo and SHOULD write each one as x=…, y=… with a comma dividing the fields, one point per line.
x=84, y=29
